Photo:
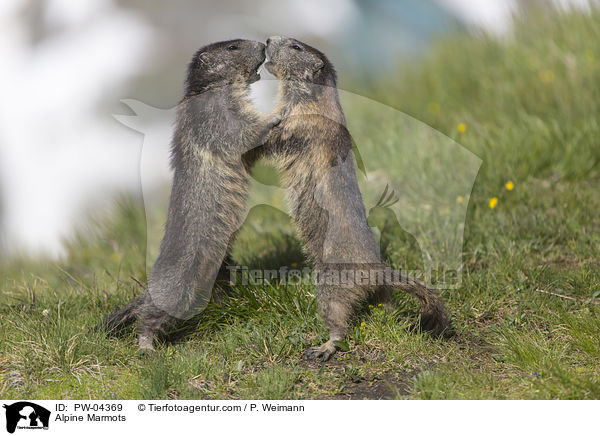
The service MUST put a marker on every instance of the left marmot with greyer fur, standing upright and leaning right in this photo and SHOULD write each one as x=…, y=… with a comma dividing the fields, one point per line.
x=215, y=124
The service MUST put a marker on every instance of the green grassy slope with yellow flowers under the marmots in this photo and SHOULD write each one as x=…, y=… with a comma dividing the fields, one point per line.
x=531, y=106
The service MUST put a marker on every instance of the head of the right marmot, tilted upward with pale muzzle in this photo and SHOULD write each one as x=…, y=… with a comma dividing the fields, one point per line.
x=290, y=59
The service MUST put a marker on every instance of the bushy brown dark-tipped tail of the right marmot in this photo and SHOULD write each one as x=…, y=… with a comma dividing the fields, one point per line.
x=434, y=317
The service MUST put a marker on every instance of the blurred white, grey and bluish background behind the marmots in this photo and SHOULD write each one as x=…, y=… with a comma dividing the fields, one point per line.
x=66, y=66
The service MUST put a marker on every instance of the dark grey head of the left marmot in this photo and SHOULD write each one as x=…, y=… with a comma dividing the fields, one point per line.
x=225, y=62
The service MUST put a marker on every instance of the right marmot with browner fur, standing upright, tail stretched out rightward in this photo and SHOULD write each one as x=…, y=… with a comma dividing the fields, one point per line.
x=313, y=148
